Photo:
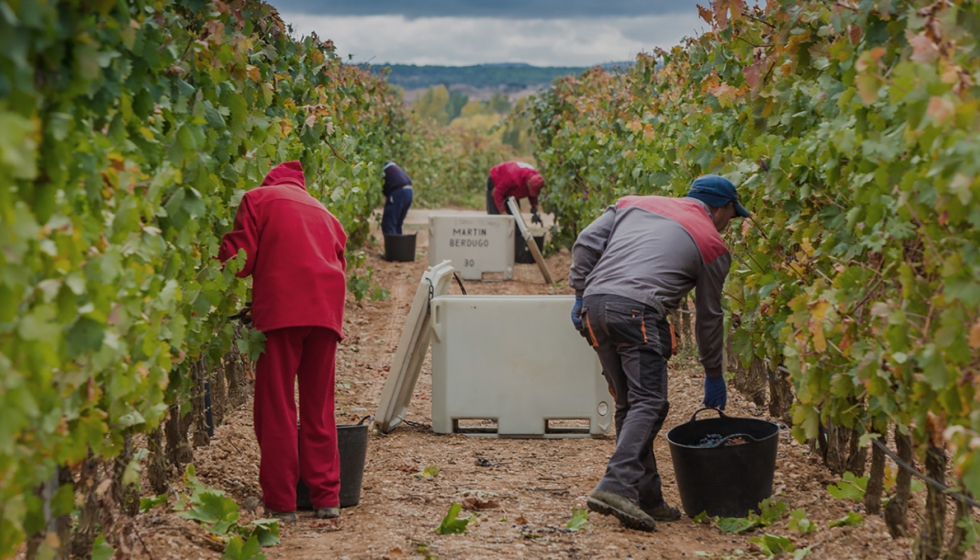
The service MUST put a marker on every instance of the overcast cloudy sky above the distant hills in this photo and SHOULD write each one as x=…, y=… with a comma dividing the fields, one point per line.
x=454, y=33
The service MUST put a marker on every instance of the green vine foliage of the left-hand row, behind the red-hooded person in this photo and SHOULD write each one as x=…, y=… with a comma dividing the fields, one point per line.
x=129, y=132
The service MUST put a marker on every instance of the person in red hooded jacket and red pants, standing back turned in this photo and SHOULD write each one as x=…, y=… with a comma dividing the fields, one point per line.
x=294, y=251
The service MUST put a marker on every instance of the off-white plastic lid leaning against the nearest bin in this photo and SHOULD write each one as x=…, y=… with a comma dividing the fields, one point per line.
x=414, y=341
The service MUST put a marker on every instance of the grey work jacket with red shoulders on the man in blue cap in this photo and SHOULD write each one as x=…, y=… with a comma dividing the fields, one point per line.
x=654, y=250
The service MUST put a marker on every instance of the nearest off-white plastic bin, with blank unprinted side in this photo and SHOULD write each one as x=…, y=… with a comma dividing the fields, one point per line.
x=518, y=361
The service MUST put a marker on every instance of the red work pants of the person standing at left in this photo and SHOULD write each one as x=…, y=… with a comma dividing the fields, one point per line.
x=307, y=352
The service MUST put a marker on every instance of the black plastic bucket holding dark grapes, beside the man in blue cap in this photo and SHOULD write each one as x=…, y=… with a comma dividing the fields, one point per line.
x=727, y=480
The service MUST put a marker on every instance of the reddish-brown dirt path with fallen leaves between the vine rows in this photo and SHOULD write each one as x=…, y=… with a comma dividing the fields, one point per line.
x=536, y=483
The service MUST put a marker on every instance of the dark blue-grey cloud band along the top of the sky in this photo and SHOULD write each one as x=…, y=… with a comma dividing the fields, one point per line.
x=511, y=9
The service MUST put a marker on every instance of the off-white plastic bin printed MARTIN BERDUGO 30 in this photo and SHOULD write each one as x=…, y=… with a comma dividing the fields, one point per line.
x=478, y=246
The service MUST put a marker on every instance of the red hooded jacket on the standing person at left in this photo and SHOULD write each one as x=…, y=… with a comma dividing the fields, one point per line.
x=294, y=251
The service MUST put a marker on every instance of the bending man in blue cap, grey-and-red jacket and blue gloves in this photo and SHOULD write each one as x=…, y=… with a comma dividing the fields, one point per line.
x=629, y=268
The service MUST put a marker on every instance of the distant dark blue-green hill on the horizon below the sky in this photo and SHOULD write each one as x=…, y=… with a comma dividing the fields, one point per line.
x=511, y=76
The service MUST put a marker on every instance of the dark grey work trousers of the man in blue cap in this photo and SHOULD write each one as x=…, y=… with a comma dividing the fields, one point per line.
x=633, y=344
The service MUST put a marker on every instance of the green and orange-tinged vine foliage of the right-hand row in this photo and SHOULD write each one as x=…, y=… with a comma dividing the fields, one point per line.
x=852, y=135
